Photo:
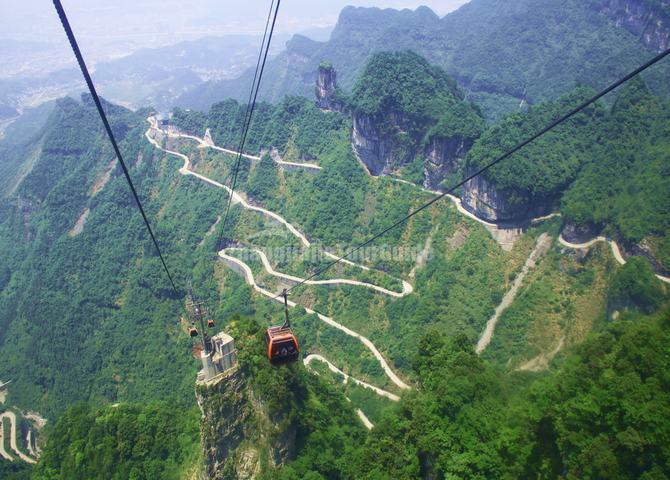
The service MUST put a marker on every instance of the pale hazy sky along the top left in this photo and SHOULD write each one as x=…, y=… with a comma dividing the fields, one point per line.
x=158, y=20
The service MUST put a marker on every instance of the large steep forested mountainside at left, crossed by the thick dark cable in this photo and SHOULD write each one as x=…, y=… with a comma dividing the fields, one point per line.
x=91, y=315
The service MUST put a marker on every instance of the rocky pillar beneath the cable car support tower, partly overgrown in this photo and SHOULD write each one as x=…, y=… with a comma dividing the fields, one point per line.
x=240, y=437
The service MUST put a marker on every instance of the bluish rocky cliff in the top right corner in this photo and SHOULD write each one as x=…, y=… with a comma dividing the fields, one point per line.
x=648, y=19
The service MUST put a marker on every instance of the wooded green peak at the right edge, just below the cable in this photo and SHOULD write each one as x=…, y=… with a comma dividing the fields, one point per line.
x=626, y=184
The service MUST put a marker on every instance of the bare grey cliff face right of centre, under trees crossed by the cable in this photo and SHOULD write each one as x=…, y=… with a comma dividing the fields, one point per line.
x=492, y=204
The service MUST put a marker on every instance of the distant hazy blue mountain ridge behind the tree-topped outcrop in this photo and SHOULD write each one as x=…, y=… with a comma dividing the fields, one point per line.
x=501, y=53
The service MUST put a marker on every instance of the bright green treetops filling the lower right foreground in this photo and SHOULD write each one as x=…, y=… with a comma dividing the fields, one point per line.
x=468, y=421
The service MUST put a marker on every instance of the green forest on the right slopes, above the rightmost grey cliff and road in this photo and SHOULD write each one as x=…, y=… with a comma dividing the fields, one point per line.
x=607, y=167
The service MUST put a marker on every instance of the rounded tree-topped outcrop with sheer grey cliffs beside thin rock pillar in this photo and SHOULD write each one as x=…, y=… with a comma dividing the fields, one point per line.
x=402, y=107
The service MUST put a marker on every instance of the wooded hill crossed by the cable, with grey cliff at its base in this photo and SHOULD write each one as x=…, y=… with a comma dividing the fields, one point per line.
x=530, y=185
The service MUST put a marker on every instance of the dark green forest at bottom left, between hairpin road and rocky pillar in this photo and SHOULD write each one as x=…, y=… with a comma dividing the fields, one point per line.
x=126, y=441
